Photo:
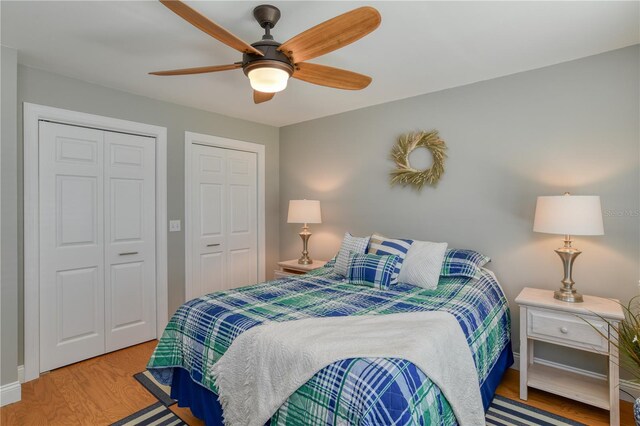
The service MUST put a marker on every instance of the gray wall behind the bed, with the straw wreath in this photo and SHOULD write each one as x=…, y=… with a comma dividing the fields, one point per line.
x=569, y=127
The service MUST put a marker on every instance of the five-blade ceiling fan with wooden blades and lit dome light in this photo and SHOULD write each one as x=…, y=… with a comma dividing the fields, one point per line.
x=269, y=64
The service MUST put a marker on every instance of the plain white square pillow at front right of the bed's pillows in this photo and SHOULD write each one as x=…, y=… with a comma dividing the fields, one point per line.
x=422, y=264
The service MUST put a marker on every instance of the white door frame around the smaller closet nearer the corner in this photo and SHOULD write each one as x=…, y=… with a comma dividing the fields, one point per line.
x=191, y=138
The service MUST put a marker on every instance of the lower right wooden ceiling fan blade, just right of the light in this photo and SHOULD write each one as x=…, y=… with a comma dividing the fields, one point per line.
x=331, y=77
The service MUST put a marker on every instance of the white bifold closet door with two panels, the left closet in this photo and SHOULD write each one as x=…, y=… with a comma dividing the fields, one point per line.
x=97, y=242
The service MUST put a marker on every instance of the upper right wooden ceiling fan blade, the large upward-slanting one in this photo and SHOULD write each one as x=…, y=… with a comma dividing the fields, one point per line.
x=332, y=34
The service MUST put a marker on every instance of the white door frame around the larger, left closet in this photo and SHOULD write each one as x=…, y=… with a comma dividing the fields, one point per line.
x=33, y=114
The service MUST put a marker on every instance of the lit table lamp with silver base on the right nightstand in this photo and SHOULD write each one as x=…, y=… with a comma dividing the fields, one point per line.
x=569, y=215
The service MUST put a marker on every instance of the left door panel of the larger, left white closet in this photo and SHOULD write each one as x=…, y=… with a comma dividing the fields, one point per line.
x=71, y=244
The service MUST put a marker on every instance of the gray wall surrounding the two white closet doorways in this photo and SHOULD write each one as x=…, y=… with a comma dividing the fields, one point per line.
x=40, y=87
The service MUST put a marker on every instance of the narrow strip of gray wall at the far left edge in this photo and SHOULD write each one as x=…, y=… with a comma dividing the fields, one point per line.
x=9, y=219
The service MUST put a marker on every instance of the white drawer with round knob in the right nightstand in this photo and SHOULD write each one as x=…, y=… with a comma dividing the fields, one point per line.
x=568, y=329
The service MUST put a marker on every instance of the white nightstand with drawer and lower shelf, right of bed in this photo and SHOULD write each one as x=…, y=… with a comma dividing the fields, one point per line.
x=546, y=319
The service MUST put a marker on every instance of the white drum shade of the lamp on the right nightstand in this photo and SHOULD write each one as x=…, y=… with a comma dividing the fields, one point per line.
x=569, y=215
